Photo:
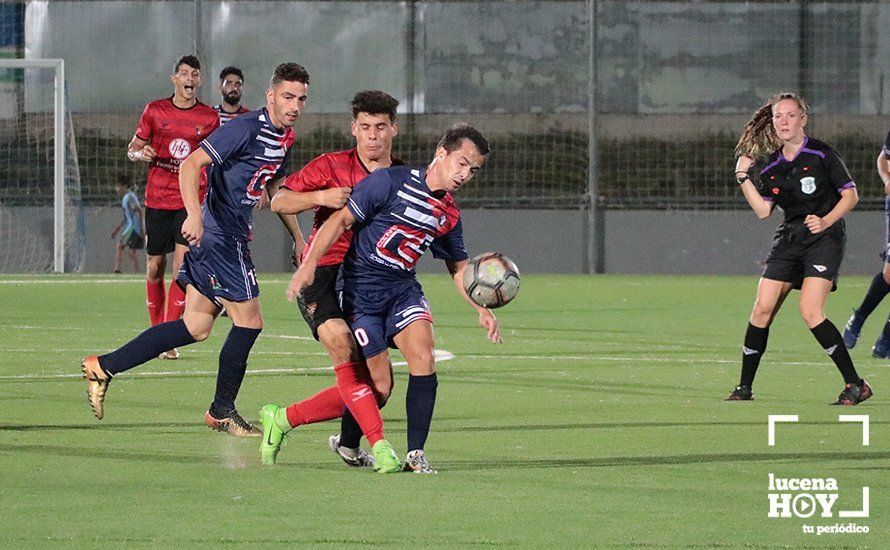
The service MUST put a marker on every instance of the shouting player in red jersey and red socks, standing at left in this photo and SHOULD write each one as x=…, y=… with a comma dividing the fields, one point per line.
x=168, y=131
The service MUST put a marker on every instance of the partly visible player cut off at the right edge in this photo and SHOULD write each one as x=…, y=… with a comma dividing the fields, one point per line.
x=880, y=284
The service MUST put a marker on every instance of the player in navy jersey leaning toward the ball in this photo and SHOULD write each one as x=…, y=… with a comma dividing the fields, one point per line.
x=396, y=214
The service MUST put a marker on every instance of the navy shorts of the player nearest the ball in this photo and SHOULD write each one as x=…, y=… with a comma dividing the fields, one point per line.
x=377, y=316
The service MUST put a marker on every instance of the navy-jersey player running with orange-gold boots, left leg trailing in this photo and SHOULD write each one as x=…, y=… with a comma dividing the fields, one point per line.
x=246, y=155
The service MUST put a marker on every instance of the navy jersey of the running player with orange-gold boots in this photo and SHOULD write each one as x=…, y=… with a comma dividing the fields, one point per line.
x=247, y=152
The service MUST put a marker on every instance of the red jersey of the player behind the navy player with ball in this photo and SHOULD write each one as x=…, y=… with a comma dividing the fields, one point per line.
x=328, y=171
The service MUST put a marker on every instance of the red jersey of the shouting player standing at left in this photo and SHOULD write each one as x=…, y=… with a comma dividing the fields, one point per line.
x=173, y=133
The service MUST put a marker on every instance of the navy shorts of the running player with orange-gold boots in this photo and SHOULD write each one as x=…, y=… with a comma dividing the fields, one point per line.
x=220, y=268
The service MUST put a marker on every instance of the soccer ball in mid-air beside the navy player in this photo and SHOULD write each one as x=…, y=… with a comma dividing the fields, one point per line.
x=491, y=280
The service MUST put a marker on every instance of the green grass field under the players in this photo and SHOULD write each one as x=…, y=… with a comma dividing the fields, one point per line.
x=599, y=422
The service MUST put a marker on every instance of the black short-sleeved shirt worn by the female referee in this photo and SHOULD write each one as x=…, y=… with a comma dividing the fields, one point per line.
x=810, y=183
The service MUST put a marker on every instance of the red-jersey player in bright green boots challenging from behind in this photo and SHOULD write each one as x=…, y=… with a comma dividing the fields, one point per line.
x=324, y=185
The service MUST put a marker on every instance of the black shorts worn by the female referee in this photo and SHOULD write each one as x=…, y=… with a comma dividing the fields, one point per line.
x=795, y=256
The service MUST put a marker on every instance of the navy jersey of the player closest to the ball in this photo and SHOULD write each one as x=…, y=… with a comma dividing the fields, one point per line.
x=397, y=219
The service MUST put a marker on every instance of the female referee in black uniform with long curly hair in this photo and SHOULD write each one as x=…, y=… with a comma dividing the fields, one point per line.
x=809, y=181
